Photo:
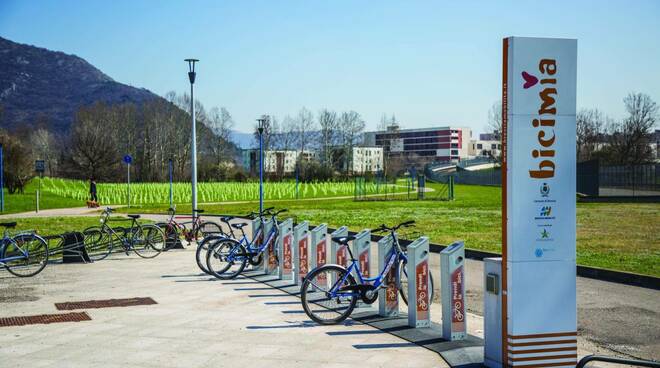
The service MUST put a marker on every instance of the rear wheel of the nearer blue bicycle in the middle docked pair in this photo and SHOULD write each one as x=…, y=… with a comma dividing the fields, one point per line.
x=226, y=258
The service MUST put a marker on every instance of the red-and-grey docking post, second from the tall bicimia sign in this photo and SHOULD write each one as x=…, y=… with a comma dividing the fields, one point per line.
x=417, y=268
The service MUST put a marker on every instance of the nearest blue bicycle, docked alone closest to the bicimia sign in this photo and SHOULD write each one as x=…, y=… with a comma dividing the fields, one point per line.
x=329, y=293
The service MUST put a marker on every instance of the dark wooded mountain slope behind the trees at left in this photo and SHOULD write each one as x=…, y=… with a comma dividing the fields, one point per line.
x=49, y=86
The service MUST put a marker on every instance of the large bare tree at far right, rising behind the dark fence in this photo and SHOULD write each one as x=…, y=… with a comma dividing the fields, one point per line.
x=629, y=139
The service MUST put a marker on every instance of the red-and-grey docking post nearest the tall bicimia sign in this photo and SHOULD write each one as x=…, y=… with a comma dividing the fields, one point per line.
x=452, y=279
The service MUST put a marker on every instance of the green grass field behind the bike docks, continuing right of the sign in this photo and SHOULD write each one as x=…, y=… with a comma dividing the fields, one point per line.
x=621, y=236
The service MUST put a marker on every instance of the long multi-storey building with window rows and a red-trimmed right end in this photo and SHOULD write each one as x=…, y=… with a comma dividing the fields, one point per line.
x=428, y=144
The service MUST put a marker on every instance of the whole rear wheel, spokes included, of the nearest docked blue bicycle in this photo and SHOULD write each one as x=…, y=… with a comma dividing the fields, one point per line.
x=316, y=300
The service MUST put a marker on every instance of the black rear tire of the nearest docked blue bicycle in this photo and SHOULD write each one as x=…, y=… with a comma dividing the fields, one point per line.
x=306, y=293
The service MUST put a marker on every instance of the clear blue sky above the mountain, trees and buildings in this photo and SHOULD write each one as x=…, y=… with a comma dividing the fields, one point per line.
x=428, y=62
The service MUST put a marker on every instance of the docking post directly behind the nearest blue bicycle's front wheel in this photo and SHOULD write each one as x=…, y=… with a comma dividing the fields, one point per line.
x=388, y=296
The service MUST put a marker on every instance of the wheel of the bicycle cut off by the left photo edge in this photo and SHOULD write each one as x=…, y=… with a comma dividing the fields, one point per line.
x=30, y=252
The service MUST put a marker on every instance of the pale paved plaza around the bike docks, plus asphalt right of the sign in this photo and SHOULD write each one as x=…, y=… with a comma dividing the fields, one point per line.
x=200, y=321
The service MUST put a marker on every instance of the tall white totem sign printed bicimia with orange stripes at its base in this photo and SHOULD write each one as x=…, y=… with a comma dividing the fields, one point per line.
x=538, y=205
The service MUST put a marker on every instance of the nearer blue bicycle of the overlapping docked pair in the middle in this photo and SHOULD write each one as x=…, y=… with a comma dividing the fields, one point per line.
x=227, y=257
